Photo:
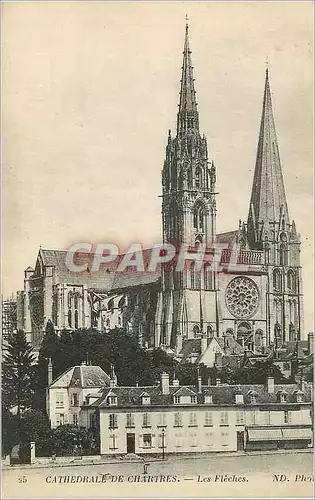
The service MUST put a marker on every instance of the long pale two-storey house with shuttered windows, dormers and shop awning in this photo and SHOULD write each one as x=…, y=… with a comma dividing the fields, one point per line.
x=169, y=418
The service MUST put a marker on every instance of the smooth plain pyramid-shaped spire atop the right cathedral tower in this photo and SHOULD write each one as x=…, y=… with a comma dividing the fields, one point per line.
x=268, y=205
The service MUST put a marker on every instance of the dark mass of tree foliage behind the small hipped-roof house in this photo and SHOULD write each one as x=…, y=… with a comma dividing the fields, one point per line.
x=132, y=363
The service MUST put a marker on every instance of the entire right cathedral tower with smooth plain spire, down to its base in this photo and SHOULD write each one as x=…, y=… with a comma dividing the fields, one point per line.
x=269, y=229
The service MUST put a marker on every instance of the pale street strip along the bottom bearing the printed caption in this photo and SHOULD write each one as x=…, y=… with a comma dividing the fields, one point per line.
x=270, y=475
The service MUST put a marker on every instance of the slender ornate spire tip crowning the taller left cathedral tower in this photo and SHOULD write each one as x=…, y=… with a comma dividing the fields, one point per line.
x=187, y=118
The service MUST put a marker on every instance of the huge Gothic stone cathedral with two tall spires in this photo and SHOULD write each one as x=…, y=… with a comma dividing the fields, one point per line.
x=254, y=295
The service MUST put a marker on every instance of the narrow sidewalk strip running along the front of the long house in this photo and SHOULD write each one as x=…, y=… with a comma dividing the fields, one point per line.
x=147, y=458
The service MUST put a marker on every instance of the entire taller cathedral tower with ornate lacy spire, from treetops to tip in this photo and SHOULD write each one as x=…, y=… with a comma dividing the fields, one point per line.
x=188, y=217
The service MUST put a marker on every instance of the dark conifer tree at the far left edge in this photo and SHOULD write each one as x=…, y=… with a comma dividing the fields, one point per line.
x=18, y=373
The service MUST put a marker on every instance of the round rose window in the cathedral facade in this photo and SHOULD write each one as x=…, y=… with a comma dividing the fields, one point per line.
x=242, y=297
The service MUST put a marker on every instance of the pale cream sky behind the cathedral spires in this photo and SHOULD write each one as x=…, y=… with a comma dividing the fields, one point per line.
x=90, y=90
